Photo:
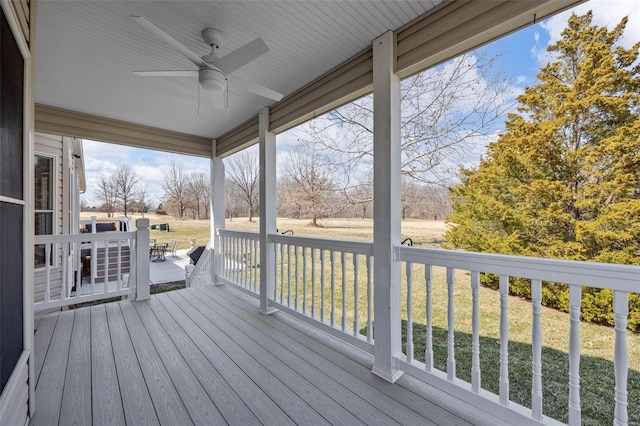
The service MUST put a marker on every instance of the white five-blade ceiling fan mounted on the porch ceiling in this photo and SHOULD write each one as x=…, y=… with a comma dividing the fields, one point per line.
x=215, y=75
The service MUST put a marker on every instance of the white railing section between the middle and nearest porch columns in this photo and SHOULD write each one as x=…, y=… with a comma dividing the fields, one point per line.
x=328, y=283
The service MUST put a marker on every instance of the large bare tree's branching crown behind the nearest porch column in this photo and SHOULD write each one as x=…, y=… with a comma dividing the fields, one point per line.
x=448, y=112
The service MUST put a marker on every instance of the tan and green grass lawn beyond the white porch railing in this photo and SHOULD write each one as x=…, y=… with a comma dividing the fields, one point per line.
x=596, y=370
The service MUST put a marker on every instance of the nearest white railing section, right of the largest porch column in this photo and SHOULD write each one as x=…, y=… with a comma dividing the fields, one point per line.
x=619, y=278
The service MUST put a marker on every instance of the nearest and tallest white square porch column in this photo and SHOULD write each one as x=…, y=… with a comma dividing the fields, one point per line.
x=386, y=207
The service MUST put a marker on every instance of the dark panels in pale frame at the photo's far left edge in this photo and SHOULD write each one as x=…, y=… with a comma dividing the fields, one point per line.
x=11, y=215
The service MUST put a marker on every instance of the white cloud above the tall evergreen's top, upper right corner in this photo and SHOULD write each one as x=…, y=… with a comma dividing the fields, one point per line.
x=605, y=12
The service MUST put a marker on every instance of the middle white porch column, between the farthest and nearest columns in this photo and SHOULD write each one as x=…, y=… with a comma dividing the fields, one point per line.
x=267, y=142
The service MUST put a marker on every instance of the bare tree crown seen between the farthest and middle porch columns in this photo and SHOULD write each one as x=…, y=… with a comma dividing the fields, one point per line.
x=243, y=171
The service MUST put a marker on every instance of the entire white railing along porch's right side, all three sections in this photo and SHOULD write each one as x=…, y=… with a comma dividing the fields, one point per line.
x=329, y=284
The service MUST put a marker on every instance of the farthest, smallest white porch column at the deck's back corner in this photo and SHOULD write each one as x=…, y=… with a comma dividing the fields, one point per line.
x=217, y=206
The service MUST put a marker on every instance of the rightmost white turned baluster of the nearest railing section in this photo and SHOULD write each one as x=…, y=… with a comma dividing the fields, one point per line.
x=621, y=356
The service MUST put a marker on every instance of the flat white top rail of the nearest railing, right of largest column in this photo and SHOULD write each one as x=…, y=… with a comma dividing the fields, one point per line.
x=600, y=275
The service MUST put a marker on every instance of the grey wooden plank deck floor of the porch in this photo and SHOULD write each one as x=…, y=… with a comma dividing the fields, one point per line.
x=206, y=356
